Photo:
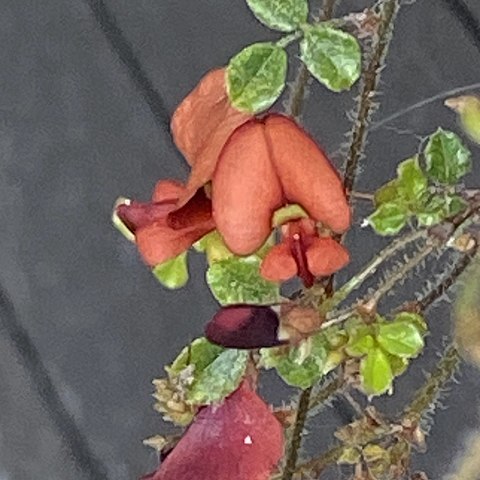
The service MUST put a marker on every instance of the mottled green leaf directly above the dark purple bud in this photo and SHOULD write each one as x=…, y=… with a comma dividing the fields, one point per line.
x=238, y=280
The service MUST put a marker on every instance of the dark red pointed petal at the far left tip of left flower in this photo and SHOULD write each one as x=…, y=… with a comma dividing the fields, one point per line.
x=136, y=215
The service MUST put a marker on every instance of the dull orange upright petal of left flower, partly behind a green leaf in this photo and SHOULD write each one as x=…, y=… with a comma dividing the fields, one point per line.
x=202, y=124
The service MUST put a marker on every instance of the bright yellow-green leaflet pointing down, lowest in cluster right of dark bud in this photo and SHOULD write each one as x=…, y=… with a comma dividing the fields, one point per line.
x=376, y=372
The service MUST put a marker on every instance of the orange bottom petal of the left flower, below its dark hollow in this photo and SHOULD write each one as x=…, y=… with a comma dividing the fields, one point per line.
x=158, y=243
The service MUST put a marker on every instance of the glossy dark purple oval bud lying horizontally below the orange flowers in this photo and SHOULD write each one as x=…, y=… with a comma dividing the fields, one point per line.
x=244, y=326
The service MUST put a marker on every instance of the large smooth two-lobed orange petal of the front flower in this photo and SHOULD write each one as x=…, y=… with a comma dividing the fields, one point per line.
x=266, y=164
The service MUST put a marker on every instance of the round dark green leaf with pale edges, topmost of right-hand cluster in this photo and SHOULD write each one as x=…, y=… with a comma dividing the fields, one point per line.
x=446, y=157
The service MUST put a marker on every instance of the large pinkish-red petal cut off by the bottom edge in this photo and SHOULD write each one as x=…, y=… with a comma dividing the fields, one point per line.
x=240, y=439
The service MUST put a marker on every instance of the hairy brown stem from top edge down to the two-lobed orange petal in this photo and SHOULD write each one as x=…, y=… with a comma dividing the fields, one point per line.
x=366, y=104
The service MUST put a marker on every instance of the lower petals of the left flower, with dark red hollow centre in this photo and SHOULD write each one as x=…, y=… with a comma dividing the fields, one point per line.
x=160, y=237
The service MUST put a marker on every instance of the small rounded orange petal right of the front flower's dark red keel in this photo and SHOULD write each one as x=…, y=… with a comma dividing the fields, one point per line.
x=326, y=256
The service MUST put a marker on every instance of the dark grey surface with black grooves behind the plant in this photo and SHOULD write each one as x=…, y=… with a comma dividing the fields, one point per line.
x=80, y=125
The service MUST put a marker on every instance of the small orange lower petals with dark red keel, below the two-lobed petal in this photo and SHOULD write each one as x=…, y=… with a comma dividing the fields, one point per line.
x=304, y=253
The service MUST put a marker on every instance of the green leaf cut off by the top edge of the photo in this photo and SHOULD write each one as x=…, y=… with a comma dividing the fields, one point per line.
x=282, y=15
